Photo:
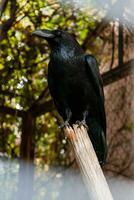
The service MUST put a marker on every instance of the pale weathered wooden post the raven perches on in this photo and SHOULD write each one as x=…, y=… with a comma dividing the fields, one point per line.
x=86, y=158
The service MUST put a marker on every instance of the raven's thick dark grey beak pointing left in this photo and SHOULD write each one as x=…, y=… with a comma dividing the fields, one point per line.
x=43, y=33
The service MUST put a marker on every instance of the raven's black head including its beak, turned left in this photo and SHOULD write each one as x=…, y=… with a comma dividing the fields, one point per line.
x=57, y=38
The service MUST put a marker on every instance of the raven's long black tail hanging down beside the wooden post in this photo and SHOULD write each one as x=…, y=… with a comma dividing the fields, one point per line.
x=98, y=140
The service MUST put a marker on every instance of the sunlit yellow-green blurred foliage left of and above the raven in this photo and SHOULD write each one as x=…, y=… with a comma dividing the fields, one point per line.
x=23, y=72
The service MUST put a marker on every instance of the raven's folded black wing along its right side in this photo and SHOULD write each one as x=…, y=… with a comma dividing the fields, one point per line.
x=94, y=75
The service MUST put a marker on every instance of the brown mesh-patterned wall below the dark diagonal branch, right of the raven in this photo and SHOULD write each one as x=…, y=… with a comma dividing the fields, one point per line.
x=119, y=102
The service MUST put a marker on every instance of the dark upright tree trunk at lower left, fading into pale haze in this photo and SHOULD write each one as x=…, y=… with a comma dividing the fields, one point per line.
x=27, y=148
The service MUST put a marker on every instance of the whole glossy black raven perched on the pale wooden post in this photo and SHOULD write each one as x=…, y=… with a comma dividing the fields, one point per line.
x=76, y=87
